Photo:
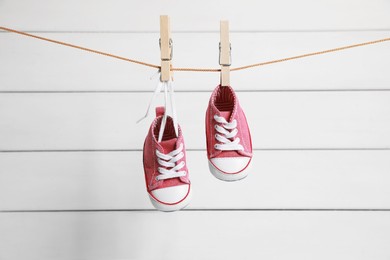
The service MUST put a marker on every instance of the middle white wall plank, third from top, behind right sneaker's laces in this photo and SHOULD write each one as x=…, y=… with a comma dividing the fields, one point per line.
x=31, y=121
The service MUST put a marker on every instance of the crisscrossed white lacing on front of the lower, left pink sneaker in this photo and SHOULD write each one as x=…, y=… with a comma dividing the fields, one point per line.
x=169, y=160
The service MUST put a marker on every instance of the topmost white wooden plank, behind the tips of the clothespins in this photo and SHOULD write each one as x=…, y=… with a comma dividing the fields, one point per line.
x=244, y=15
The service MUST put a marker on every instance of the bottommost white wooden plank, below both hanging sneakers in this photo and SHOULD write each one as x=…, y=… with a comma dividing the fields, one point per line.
x=195, y=235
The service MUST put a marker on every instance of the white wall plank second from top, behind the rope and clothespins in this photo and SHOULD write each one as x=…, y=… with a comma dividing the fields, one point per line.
x=44, y=66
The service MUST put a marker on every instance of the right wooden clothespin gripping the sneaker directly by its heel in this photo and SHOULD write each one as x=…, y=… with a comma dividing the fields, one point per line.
x=225, y=53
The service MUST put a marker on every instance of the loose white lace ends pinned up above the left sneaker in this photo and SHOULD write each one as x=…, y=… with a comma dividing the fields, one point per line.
x=167, y=86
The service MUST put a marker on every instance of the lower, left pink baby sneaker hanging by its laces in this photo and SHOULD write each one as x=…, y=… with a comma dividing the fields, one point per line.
x=166, y=174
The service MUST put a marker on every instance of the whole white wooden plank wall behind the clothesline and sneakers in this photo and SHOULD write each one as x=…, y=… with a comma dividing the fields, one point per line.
x=71, y=177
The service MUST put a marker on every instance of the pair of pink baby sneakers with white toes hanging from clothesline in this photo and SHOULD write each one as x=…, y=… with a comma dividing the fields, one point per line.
x=229, y=151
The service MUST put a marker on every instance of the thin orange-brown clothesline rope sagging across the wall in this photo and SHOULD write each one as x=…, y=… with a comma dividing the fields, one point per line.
x=196, y=69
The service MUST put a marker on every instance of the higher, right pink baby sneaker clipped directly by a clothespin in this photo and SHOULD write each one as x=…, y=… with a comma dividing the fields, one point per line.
x=229, y=144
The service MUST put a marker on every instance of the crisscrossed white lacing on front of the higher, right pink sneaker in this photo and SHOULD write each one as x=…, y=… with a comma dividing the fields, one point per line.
x=224, y=135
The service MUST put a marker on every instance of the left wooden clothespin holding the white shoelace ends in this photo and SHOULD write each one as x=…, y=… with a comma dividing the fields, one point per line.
x=166, y=47
